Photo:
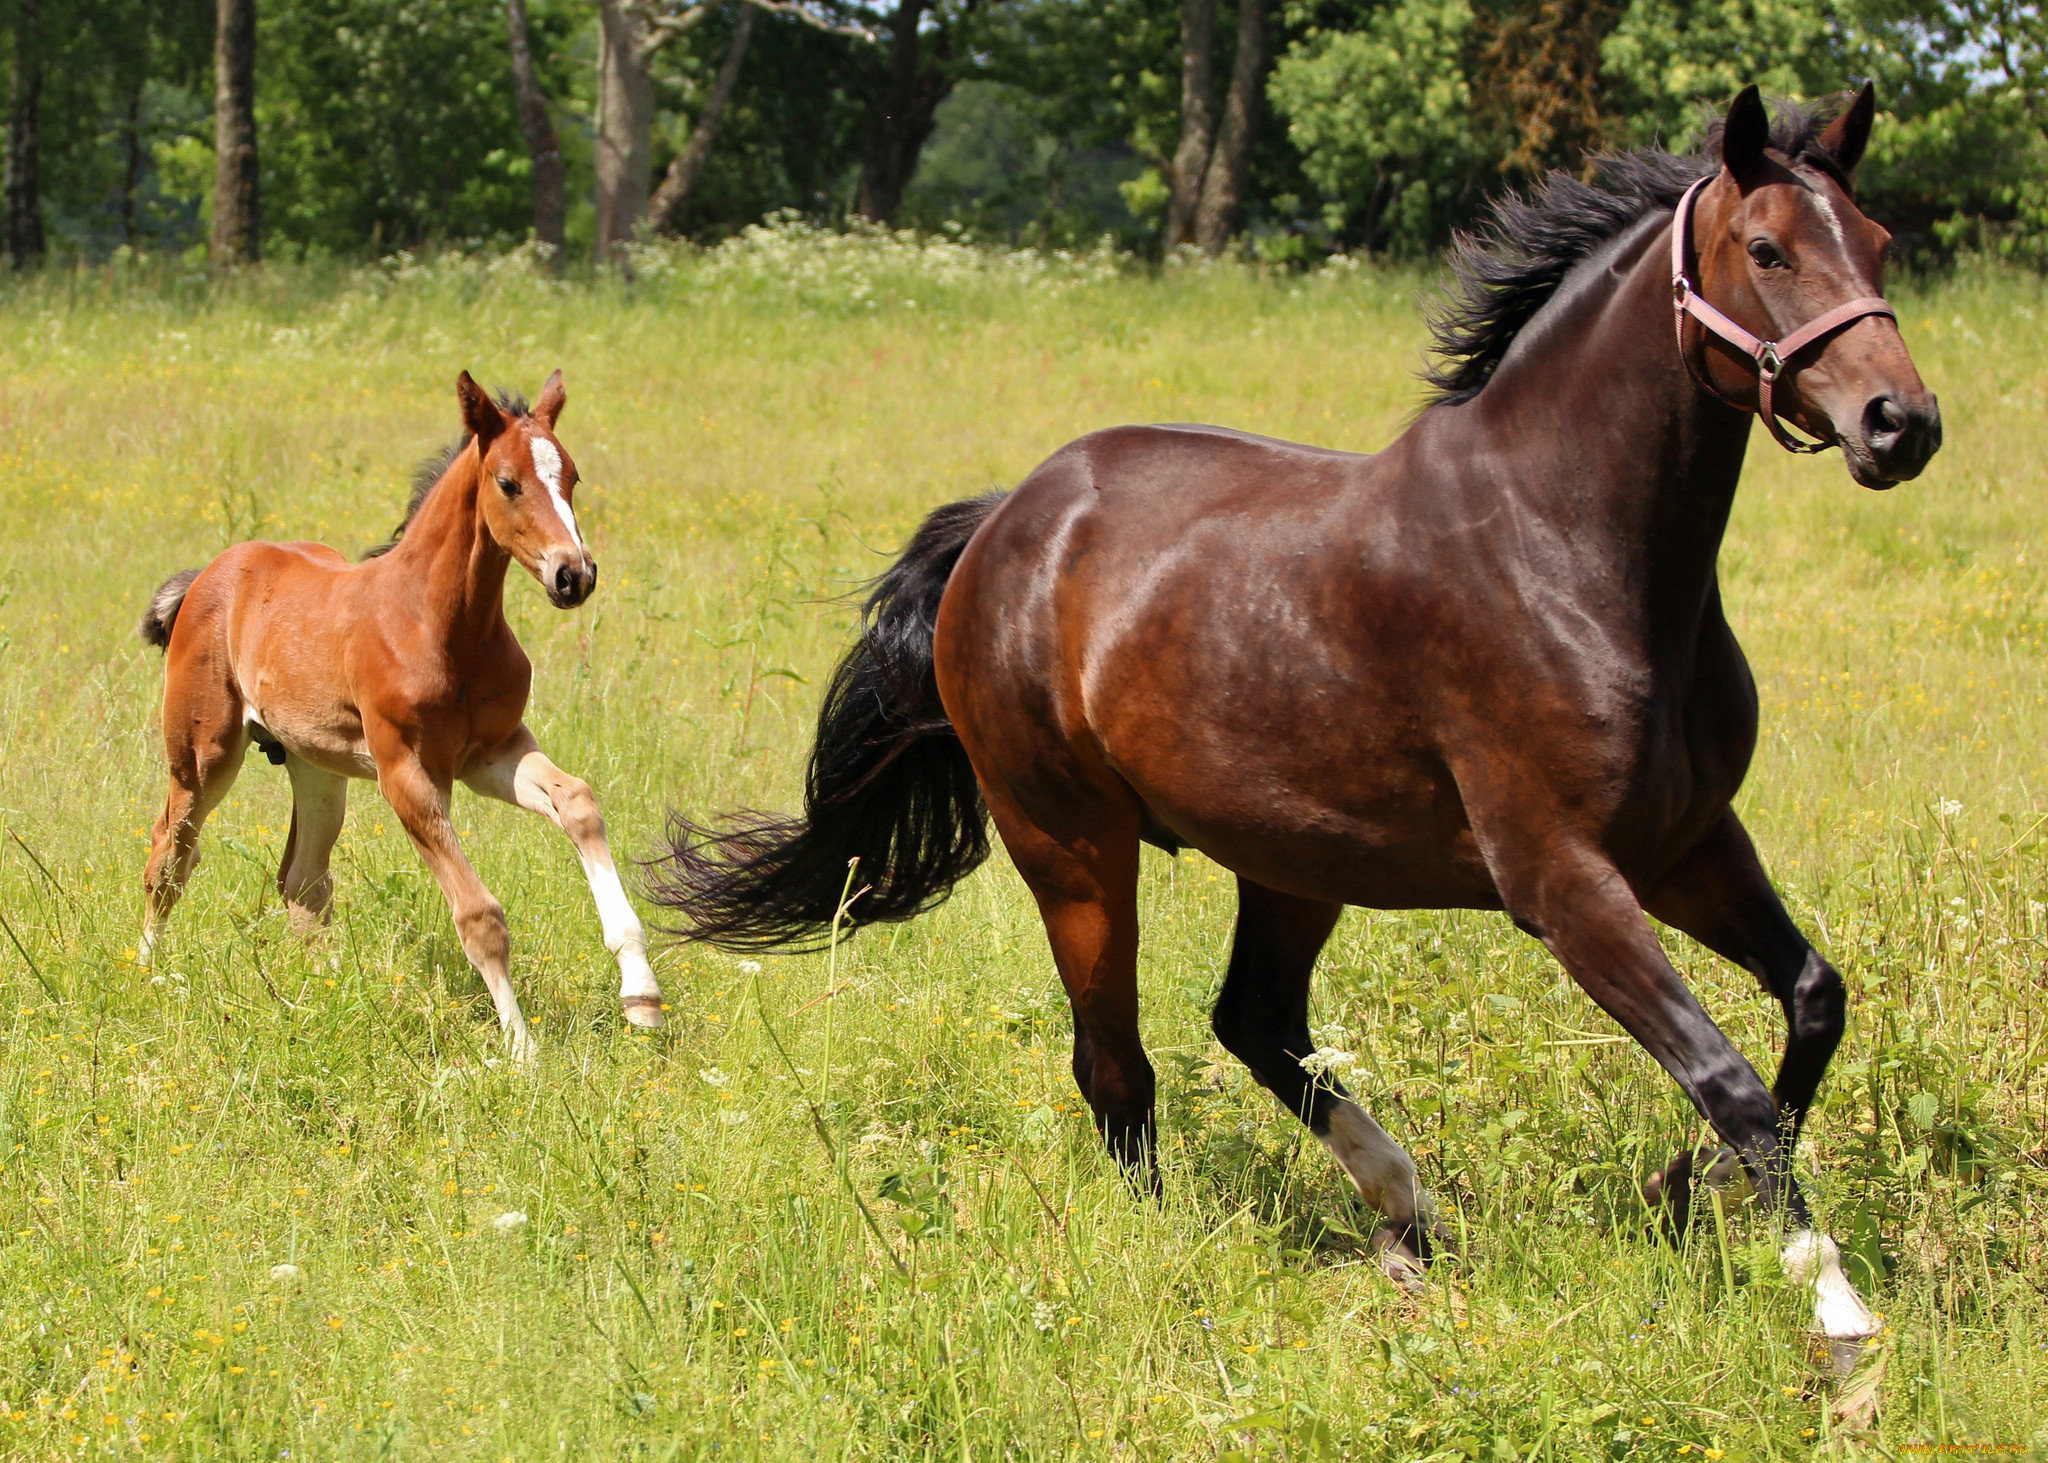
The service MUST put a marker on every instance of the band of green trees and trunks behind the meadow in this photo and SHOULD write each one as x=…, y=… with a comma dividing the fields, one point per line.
x=1281, y=128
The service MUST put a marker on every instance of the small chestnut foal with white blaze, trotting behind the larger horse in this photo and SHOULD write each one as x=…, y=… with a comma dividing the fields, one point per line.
x=398, y=669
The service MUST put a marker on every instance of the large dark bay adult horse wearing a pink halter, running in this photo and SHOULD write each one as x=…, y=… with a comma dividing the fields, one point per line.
x=1484, y=669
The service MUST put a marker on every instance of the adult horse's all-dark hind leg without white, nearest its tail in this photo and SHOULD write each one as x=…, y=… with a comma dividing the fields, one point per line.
x=1086, y=888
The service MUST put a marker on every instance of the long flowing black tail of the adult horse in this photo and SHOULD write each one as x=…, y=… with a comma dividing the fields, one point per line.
x=890, y=786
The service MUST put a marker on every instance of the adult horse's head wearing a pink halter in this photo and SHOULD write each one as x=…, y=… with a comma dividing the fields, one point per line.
x=1781, y=245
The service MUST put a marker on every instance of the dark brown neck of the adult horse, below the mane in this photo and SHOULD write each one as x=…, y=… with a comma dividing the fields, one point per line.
x=1650, y=462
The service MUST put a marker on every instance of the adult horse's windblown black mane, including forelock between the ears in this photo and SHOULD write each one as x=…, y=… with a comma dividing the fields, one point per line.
x=1508, y=269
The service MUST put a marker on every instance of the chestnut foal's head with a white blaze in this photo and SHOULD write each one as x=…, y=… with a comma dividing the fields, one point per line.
x=525, y=489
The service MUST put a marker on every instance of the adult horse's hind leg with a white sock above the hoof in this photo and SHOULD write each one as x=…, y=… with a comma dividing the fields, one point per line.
x=1263, y=1017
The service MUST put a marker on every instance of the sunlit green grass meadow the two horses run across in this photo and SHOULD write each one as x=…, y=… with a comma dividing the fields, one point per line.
x=693, y=1273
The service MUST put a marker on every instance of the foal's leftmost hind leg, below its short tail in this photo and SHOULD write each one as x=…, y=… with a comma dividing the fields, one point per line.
x=204, y=745
